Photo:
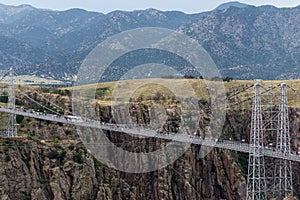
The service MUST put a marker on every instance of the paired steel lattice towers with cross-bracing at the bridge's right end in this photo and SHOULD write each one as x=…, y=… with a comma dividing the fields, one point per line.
x=269, y=120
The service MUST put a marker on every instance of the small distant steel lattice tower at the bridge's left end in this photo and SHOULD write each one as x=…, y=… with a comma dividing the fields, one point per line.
x=11, y=130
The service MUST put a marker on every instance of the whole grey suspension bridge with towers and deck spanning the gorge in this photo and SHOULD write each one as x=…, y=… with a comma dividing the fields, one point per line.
x=269, y=114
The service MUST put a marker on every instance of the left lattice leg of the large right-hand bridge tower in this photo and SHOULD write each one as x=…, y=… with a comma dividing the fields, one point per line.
x=256, y=184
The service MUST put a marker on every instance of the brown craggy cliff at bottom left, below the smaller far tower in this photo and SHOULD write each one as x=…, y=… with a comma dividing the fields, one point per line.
x=33, y=170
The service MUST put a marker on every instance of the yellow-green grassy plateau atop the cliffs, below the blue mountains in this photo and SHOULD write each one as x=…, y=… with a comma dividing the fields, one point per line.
x=154, y=89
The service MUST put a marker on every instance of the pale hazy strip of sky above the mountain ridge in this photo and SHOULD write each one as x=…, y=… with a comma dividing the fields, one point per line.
x=105, y=6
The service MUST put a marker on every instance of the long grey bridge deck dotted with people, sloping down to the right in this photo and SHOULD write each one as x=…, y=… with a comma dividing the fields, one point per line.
x=229, y=145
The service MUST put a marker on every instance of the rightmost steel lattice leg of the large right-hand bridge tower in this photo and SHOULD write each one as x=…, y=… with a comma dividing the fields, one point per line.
x=283, y=184
